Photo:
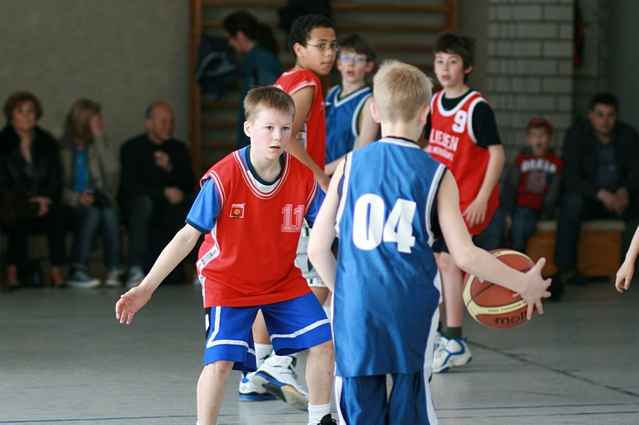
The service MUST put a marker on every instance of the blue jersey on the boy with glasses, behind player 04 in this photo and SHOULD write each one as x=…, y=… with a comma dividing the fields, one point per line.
x=342, y=116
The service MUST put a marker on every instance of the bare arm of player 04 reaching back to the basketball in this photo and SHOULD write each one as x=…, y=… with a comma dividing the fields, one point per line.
x=531, y=286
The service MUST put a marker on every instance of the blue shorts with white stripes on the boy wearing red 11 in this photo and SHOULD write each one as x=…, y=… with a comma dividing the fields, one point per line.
x=294, y=325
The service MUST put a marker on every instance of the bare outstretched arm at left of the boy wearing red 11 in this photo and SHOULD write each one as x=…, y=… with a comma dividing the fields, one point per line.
x=136, y=298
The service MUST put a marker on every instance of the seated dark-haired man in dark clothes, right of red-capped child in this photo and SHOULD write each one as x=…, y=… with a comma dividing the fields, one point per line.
x=600, y=180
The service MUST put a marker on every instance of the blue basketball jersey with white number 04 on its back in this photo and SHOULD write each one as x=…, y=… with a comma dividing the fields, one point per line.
x=387, y=289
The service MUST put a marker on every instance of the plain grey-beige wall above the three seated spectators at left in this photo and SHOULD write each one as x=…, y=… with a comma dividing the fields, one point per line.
x=122, y=53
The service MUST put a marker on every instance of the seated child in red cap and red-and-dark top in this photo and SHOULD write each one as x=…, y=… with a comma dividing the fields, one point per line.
x=531, y=186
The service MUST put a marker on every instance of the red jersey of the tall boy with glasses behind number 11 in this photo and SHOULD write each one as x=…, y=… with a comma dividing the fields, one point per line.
x=314, y=132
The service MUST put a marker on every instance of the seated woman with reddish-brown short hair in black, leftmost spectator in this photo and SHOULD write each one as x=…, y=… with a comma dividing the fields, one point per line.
x=31, y=174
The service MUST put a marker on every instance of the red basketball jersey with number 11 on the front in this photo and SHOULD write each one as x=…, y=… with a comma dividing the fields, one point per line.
x=248, y=258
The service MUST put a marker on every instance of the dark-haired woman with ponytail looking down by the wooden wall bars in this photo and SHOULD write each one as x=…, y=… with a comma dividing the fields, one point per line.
x=259, y=66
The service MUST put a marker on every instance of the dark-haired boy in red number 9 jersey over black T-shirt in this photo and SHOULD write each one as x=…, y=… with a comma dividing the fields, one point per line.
x=463, y=136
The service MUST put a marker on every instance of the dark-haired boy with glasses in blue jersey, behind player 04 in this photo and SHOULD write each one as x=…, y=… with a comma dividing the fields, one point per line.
x=349, y=123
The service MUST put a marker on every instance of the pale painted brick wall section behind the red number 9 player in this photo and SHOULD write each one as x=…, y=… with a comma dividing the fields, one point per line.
x=530, y=65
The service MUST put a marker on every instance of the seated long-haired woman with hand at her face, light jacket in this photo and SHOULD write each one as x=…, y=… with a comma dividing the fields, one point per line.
x=90, y=173
